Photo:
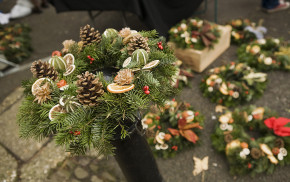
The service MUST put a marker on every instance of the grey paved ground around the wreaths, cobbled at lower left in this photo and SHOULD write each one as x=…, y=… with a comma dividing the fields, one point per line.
x=31, y=161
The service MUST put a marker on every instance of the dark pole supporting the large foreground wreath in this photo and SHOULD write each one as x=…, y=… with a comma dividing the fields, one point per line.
x=135, y=158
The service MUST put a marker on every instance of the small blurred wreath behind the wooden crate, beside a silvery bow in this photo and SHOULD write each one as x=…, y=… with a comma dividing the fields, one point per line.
x=239, y=35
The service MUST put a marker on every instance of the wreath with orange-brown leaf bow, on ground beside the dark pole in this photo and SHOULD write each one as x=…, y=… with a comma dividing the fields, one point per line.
x=172, y=129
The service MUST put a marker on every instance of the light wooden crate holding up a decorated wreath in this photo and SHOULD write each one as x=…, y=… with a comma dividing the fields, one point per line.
x=198, y=60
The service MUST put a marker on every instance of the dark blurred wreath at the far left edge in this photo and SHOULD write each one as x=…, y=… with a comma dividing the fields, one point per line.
x=15, y=42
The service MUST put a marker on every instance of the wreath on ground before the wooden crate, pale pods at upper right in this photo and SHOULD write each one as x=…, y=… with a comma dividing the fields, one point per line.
x=233, y=84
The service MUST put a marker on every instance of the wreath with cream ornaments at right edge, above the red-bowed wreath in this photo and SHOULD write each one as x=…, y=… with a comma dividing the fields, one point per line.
x=265, y=54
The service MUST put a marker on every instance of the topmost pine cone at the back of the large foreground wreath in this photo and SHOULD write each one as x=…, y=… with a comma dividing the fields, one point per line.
x=89, y=35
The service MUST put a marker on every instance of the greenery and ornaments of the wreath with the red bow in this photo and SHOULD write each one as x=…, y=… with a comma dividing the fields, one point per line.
x=248, y=127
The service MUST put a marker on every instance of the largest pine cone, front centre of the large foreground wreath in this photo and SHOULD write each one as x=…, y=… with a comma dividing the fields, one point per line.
x=89, y=89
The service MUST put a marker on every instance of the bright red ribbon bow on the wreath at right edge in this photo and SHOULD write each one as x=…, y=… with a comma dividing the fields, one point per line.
x=278, y=125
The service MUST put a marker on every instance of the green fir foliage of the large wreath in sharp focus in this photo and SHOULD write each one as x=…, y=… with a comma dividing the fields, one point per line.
x=96, y=127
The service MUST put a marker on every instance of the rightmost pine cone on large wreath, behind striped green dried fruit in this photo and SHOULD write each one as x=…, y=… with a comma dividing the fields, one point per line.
x=138, y=42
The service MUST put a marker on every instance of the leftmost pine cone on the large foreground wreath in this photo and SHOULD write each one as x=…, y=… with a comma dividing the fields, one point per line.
x=42, y=69
